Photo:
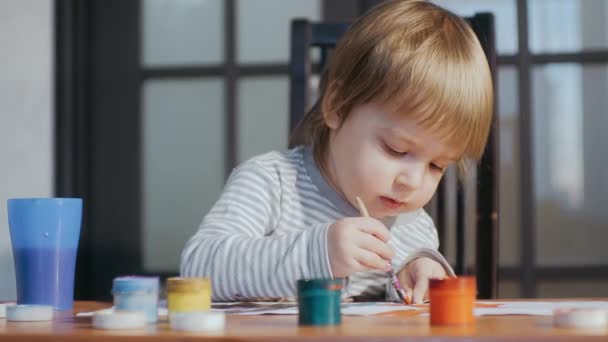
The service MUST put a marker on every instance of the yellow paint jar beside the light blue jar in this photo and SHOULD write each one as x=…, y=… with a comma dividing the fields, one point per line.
x=188, y=294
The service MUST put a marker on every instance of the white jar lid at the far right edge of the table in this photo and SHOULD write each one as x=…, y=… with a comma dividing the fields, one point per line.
x=580, y=318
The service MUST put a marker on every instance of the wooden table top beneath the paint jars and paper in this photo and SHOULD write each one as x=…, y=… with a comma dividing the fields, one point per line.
x=388, y=327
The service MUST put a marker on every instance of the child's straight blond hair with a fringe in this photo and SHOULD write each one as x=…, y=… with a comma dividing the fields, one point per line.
x=418, y=56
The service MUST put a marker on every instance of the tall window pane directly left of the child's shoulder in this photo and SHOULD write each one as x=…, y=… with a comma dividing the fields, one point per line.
x=183, y=163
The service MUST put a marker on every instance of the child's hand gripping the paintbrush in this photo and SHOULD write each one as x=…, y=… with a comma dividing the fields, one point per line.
x=356, y=244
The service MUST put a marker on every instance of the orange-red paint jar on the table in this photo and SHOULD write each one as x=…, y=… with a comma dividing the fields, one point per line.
x=452, y=300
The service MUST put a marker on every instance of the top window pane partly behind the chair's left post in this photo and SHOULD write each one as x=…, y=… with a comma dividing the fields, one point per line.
x=264, y=27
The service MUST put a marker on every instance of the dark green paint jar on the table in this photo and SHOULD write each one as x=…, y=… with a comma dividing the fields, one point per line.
x=319, y=301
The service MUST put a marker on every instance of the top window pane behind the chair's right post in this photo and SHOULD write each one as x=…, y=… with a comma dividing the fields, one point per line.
x=505, y=14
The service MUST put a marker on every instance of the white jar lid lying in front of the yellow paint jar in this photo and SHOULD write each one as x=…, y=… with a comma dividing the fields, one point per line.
x=197, y=321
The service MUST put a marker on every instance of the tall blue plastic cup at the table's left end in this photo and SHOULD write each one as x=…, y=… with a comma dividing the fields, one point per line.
x=44, y=236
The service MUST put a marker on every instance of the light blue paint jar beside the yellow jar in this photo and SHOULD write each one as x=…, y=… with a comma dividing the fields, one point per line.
x=133, y=293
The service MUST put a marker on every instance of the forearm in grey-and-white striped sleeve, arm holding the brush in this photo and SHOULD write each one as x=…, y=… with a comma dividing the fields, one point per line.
x=242, y=267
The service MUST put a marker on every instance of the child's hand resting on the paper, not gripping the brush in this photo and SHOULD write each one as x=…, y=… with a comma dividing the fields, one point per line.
x=414, y=278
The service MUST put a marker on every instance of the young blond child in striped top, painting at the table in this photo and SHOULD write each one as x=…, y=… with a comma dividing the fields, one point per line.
x=407, y=93
